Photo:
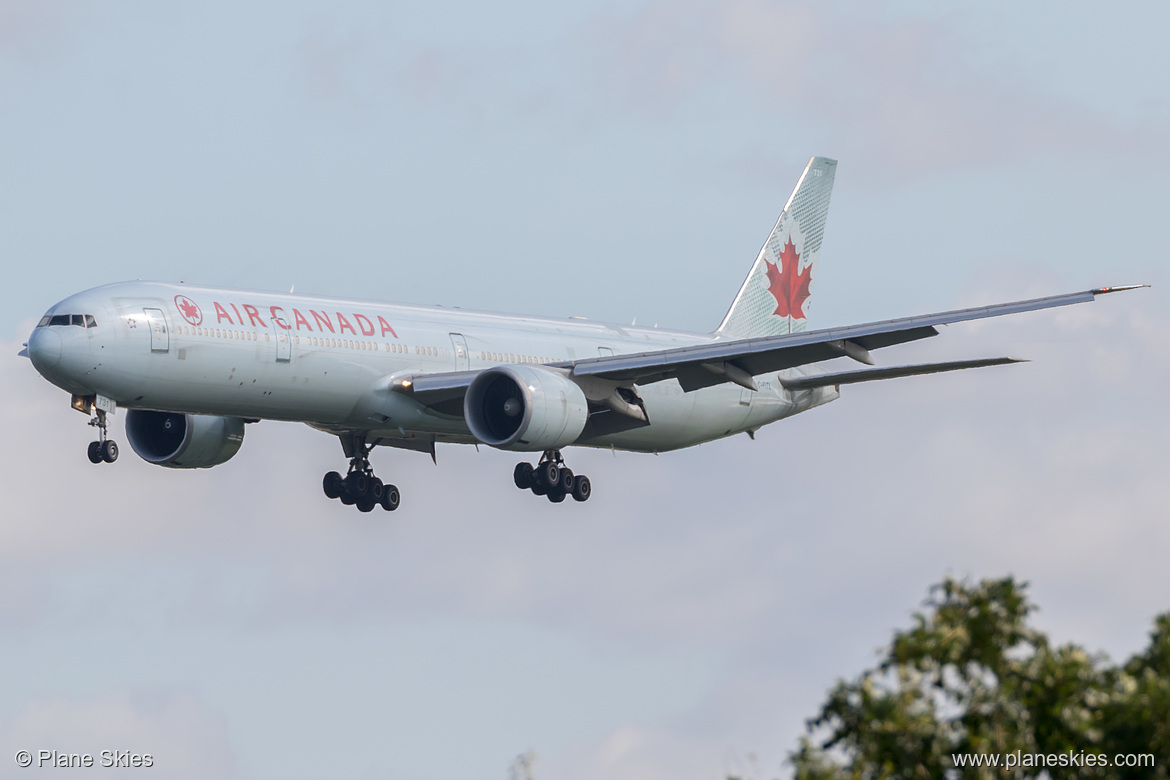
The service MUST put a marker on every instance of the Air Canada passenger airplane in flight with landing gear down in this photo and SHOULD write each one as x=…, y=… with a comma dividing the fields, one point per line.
x=194, y=365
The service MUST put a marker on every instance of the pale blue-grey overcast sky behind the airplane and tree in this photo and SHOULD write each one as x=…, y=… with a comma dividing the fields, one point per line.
x=610, y=161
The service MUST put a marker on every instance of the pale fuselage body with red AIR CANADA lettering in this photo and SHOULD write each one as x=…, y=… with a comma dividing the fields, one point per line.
x=240, y=361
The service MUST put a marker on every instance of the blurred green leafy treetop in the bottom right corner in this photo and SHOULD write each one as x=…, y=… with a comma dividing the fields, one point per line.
x=974, y=677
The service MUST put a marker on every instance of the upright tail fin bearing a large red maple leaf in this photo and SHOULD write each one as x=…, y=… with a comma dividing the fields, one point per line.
x=775, y=298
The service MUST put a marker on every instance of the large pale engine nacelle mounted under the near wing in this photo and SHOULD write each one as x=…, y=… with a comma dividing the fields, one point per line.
x=526, y=409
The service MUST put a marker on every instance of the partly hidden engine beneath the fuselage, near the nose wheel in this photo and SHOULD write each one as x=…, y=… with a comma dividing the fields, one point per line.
x=184, y=441
